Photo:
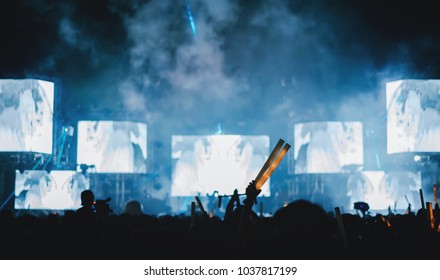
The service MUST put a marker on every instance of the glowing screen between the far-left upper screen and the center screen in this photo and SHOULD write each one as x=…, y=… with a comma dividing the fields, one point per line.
x=113, y=146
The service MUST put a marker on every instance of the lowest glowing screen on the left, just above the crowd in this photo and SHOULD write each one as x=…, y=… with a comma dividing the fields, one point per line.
x=59, y=189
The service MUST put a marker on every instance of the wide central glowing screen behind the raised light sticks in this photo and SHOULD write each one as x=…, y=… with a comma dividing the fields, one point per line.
x=223, y=163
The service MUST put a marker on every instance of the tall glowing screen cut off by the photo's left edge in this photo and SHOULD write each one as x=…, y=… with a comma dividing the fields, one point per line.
x=26, y=115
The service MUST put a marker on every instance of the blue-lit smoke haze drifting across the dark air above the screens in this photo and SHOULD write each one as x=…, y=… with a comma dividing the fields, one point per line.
x=258, y=62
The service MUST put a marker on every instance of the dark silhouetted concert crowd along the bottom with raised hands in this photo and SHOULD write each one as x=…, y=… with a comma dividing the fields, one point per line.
x=300, y=230
